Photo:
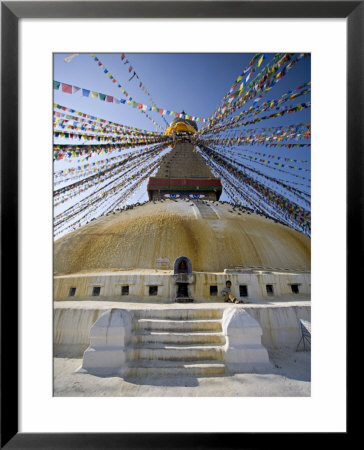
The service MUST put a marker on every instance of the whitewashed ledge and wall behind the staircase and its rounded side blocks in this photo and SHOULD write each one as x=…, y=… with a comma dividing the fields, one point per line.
x=279, y=320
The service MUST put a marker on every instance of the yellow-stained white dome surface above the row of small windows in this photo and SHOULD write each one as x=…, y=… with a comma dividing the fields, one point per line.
x=135, y=238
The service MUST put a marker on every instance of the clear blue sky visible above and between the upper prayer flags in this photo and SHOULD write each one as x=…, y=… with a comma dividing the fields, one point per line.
x=193, y=82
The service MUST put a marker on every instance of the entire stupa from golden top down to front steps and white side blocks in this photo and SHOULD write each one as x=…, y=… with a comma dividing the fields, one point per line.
x=119, y=280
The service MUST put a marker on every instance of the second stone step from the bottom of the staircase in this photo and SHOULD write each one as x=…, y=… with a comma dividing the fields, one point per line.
x=175, y=353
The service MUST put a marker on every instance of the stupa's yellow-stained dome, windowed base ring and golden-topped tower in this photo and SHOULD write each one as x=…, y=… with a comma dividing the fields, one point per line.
x=136, y=254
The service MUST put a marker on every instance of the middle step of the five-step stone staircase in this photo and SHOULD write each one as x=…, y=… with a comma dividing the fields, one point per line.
x=178, y=338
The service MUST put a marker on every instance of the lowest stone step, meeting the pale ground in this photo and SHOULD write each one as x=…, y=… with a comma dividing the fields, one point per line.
x=168, y=368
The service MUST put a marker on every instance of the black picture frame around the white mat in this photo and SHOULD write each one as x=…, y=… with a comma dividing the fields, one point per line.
x=11, y=12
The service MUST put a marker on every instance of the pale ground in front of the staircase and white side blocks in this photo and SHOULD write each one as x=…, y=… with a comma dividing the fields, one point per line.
x=289, y=376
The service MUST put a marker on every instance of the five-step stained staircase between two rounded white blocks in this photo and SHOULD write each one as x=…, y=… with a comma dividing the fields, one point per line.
x=176, y=342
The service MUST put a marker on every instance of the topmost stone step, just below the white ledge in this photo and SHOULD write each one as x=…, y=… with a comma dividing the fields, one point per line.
x=178, y=314
